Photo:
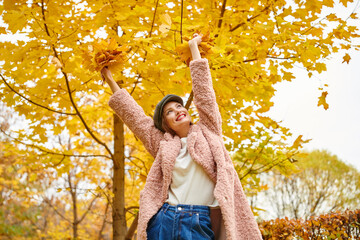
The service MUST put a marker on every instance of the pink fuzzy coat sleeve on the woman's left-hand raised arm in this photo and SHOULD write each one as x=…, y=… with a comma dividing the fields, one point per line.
x=138, y=122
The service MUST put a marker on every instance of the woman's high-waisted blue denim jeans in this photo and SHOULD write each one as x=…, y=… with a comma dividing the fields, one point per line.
x=181, y=222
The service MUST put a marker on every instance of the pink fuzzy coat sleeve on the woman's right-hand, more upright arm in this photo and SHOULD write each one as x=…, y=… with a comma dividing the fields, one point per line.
x=204, y=95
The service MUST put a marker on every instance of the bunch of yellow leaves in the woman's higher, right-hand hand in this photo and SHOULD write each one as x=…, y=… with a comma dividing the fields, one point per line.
x=205, y=48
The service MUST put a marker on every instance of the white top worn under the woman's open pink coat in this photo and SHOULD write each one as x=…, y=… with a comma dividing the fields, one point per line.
x=190, y=184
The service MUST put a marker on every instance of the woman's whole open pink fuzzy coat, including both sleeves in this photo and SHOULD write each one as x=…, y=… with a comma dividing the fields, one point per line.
x=206, y=147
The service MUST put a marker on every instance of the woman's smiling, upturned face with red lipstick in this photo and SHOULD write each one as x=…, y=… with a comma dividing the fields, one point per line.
x=176, y=116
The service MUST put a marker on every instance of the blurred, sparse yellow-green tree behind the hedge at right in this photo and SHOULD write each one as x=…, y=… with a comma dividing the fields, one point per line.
x=323, y=183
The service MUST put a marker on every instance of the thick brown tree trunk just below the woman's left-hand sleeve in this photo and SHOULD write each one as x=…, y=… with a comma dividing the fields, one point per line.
x=119, y=221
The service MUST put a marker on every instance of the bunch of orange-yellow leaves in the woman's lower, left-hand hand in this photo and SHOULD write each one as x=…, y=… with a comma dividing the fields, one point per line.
x=105, y=54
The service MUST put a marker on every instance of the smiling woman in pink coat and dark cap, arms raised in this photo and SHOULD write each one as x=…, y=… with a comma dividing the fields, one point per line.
x=192, y=190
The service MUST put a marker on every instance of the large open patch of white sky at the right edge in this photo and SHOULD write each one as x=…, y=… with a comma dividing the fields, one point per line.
x=336, y=129
